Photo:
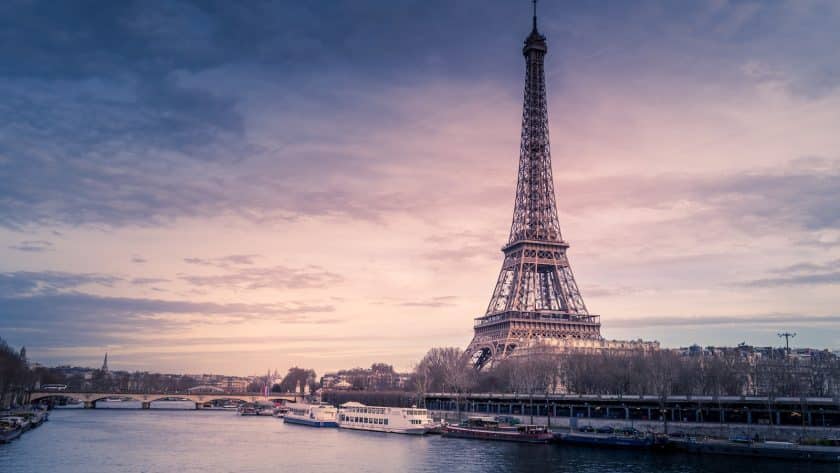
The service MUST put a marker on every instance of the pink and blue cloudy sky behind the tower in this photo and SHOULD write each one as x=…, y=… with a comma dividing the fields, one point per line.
x=231, y=187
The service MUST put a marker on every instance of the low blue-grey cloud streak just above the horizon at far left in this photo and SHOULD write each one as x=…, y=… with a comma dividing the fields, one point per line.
x=46, y=307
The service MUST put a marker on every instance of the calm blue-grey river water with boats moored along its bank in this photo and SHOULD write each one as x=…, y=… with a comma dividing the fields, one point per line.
x=158, y=440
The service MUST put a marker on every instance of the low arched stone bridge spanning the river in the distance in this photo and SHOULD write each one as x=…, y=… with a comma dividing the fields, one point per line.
x=145, y=399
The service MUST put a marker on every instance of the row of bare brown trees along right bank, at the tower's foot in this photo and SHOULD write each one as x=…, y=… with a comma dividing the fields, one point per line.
x=662, y=373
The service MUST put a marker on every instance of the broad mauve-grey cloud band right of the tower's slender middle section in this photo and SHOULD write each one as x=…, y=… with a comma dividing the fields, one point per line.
x=757, y=201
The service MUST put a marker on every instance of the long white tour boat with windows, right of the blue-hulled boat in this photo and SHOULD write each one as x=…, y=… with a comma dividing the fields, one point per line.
x=398, y=420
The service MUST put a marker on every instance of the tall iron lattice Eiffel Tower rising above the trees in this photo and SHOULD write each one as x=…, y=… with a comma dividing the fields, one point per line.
x=536, y=300
